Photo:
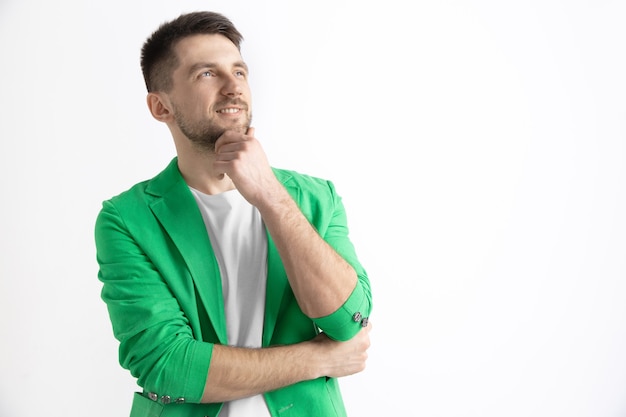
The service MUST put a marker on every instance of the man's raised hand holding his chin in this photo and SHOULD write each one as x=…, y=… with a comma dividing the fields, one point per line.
x=242, y=158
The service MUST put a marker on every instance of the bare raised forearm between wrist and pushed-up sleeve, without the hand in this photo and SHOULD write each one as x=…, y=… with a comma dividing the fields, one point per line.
x=320, y=278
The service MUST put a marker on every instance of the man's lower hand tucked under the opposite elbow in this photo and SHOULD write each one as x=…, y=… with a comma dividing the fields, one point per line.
x=343, y=358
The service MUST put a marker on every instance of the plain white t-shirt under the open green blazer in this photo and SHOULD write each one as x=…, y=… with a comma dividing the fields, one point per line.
x=239, y=241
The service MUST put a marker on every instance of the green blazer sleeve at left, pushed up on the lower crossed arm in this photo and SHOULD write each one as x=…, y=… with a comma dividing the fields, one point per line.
x=156, y=342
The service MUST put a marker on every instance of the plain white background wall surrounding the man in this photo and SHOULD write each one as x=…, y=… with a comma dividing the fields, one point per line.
x=479, y=147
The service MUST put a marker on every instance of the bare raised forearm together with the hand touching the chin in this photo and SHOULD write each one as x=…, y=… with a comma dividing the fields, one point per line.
x=320, y=278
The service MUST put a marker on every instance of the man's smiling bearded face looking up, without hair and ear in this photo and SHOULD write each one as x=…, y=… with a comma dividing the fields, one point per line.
x=210, y=92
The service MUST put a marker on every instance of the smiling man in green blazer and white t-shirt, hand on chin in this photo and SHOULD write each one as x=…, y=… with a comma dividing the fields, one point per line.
x=232, y=286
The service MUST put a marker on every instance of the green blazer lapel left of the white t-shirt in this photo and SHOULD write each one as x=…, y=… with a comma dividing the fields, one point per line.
x=178, y=213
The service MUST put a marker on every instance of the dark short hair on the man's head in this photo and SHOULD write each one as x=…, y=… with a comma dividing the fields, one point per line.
x=158, y=58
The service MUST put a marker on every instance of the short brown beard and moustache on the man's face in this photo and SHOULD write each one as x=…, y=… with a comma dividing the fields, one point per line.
x=204, y=133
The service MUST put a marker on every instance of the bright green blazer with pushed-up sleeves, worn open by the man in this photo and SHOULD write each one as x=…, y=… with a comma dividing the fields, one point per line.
x=162, y=286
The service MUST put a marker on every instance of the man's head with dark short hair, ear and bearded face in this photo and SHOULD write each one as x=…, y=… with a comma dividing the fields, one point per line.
x=197, y=80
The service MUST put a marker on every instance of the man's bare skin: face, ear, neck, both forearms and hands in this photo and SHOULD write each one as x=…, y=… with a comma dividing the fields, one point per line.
x=212, y=77
